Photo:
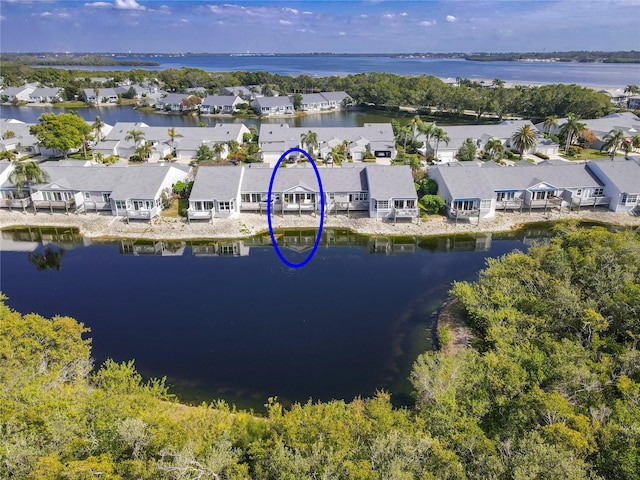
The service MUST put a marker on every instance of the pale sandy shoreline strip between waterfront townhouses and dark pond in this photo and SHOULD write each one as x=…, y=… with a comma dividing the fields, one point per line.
x=104, y=226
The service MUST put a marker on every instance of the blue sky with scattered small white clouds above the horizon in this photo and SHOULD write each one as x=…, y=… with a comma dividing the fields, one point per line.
x=369, y=26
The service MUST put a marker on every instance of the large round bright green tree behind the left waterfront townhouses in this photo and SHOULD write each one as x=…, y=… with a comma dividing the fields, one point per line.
x=61, y=132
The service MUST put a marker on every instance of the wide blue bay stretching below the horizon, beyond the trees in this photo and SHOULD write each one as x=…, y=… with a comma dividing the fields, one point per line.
x=596, y=74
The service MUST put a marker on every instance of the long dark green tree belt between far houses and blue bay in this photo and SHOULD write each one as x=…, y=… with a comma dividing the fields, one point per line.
x=382, y=89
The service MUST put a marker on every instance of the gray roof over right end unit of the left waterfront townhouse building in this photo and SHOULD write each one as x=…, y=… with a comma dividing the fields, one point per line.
x=142, y=182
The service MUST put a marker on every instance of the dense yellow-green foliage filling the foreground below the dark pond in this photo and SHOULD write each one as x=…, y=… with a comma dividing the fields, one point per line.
x=551, y=390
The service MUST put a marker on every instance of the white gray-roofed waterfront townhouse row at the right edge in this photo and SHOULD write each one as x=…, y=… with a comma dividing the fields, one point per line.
x=480, y=190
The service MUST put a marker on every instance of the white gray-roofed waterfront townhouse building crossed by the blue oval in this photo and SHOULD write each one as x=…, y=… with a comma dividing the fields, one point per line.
x=382, y=191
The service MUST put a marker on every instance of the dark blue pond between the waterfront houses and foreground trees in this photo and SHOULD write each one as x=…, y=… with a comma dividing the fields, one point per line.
x=228, y=320
